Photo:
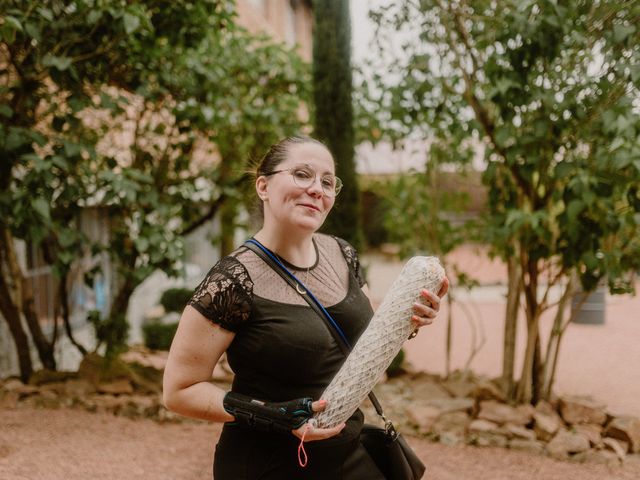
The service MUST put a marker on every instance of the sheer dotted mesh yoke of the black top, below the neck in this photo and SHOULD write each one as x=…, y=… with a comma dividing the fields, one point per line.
x=328, y=280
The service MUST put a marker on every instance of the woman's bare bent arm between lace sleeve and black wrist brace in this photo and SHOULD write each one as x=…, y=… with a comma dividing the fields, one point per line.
x=195, y=350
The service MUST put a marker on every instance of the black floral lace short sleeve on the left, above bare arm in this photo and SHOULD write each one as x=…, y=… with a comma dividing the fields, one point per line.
x=224, y=296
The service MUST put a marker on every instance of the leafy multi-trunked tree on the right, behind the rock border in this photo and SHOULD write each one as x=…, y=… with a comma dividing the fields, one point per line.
x=550, y=91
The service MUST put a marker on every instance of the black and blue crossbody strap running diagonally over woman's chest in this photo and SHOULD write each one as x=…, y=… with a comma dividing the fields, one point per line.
x=334, y=329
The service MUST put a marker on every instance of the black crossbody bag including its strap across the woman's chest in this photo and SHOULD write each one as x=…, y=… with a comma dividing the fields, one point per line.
x=387, y=448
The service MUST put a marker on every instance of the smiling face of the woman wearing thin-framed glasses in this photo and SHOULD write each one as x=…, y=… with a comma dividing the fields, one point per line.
x=290, y=205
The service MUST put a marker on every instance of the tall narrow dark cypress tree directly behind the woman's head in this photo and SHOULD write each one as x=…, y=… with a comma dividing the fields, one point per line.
x=333, y=110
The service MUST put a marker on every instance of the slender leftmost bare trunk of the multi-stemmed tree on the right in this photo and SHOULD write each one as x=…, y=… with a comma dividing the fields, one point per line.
x=510, y=326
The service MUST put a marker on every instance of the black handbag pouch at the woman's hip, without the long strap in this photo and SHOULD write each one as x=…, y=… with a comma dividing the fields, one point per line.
x=391, y=453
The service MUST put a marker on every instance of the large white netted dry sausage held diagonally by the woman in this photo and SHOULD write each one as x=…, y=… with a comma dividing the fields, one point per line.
x=381, y=341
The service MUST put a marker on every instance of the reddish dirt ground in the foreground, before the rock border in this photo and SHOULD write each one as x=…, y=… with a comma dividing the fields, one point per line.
x=76, y=445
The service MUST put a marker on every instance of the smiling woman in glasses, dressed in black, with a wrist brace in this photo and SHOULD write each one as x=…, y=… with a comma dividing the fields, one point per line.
x=281, y=352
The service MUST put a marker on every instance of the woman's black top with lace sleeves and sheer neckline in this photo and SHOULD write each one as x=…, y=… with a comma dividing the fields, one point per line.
x=282, y=349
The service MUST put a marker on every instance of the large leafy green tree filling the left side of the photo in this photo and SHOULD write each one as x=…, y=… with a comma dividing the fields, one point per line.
x=120, y=107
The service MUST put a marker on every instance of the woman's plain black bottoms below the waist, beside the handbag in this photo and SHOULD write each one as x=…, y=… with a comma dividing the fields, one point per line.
x=243, y=454
